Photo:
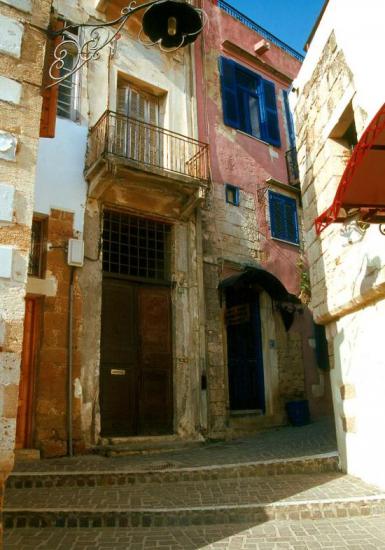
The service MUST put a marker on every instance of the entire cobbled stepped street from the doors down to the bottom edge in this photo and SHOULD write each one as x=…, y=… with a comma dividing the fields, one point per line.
x=282, y=483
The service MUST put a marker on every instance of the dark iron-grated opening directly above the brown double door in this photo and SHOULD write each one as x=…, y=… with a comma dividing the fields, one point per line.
x=136, y=247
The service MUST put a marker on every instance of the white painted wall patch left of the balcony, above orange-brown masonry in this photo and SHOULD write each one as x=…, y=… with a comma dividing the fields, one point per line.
x=59, y=175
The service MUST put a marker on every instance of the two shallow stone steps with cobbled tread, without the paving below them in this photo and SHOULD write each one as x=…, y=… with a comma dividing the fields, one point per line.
x=244, y=493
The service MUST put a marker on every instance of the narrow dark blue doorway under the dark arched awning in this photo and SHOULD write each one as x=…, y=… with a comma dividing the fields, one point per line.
x=244, y=350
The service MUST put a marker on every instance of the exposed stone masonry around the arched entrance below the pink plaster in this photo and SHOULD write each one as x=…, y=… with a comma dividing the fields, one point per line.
x=234, y=237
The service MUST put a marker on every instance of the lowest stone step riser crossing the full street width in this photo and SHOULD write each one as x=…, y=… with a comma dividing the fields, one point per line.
x=251, y=514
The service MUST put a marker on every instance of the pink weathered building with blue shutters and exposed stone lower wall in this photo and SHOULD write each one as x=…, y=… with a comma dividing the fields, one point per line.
x=243, y=75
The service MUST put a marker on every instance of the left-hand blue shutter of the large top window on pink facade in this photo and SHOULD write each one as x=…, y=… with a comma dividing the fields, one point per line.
x=229, y=92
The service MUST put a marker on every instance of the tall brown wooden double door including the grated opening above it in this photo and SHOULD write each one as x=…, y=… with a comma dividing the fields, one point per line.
x=136, y=367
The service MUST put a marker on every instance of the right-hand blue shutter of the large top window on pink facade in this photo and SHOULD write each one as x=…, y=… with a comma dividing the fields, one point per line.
x=269, y=113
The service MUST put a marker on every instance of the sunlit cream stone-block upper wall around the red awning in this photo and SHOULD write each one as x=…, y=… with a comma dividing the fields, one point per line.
x=336, y=254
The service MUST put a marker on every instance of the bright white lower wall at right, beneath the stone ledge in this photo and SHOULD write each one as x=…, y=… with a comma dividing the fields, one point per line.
x=359, y=360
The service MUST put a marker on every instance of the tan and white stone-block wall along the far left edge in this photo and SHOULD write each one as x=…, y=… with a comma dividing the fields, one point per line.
x=22, y=46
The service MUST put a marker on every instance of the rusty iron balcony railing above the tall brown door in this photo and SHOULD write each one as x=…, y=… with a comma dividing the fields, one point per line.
x=147, y=146
